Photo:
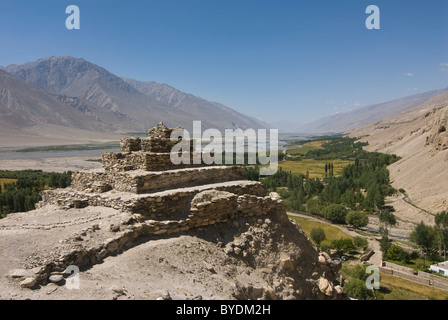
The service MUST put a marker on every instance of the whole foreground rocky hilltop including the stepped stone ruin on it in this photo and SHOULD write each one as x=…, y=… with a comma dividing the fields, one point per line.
x=143, y=228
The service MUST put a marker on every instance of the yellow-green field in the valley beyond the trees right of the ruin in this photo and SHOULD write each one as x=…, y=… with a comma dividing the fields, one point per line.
x=316, y=168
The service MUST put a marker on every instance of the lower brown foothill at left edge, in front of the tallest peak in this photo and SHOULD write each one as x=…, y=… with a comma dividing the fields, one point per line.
x=31, y=116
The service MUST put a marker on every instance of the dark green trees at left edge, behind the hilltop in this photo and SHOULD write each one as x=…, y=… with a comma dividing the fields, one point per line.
x=23, y=194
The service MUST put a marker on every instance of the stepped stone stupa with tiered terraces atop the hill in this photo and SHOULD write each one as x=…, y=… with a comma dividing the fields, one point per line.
x=141, y=179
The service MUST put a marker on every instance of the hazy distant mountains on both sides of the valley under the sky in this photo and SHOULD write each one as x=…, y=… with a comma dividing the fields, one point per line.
x=67, y=96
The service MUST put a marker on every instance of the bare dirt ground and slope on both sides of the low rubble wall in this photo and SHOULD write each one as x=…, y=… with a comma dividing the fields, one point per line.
x=201, y=263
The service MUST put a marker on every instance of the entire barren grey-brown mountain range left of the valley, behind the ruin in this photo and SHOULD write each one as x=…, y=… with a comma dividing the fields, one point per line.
x=74, y=93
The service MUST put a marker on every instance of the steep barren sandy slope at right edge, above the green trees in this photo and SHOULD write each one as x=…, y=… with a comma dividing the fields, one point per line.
x=419, y=136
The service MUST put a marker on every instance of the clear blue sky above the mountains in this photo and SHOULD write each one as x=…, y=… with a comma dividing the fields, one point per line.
x=272, y=59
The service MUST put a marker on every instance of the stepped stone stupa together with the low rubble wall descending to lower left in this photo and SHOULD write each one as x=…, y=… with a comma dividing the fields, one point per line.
x=156, y=198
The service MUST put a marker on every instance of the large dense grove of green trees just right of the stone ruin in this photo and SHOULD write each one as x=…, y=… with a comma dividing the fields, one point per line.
x=362, y=187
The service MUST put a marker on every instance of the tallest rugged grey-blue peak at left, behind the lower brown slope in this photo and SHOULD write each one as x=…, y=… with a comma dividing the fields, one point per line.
x=79, y=78
